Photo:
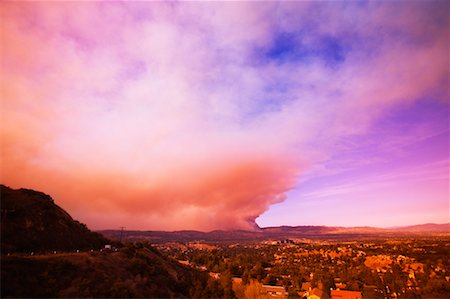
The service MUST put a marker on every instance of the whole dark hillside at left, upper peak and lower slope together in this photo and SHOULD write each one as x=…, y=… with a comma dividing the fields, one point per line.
x=31, y=221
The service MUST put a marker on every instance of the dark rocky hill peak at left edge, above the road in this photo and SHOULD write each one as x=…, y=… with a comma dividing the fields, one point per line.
x=31, y=221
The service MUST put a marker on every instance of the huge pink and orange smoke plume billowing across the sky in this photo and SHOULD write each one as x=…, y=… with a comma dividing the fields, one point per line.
x=150, y=115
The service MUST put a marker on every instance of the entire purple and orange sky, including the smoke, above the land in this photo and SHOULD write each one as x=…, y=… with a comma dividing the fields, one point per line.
x=203, y=115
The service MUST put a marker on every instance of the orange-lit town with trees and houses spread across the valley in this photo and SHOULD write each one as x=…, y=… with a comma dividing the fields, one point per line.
x=314, y=269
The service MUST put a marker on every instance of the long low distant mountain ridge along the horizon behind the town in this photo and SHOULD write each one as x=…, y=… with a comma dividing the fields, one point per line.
x=281, y=232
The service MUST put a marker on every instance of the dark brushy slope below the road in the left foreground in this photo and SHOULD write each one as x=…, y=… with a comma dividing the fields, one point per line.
x=130, y=272
